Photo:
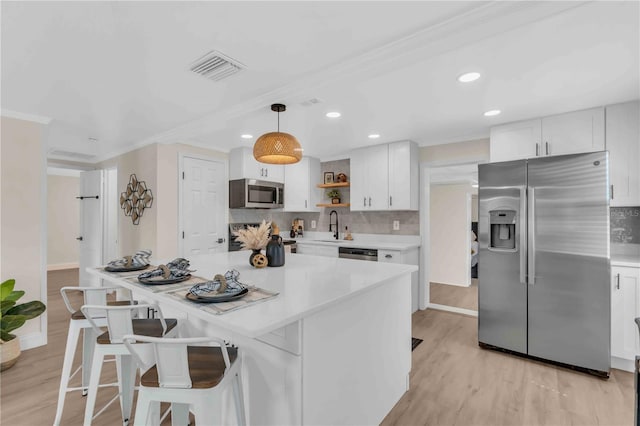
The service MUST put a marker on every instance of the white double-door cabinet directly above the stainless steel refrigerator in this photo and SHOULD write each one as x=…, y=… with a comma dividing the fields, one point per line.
x=570, y=133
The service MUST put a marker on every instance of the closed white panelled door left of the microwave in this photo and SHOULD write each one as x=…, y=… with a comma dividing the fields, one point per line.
x=204, y=203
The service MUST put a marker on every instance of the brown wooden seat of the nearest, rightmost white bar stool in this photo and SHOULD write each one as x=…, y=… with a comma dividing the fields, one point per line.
x=206, y=367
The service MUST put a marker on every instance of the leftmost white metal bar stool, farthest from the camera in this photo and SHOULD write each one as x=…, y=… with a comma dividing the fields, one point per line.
x=78, y=322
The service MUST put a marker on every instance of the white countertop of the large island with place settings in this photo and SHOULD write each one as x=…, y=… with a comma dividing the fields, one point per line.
x=306, y=284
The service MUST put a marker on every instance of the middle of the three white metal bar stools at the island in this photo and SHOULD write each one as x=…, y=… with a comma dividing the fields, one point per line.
x=120, y=321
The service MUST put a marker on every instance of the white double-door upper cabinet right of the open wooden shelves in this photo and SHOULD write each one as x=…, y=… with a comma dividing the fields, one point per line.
x=385, y=177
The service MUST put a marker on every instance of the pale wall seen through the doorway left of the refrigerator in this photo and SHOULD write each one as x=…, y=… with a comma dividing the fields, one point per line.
x=450, y=229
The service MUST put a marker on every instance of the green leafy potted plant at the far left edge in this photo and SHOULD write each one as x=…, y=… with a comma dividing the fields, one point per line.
x=13, y=317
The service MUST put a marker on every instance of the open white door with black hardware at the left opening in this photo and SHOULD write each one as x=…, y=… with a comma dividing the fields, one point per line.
x=91, y=225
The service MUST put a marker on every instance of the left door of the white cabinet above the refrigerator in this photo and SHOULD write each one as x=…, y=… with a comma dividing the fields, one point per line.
x=515, y=141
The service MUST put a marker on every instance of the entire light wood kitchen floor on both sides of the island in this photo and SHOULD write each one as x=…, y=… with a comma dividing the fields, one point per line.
x=453, y=381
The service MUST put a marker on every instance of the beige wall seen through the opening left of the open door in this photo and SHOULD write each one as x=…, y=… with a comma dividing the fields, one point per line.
x=63, y=220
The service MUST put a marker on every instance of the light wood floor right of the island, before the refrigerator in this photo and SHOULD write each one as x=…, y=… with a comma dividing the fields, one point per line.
x=454, y=382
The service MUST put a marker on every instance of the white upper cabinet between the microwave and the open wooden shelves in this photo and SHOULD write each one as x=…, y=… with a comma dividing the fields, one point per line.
x=300, y=191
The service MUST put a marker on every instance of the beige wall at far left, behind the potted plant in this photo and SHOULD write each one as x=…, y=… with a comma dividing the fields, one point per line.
x=23, y=208
